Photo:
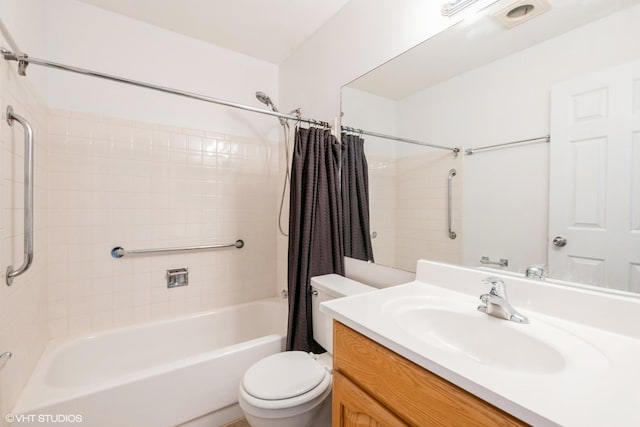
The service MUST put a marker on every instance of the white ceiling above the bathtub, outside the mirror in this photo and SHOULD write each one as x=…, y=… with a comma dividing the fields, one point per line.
x=268, y=30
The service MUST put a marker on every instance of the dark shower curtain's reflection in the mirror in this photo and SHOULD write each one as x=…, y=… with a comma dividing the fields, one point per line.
x=355, y=199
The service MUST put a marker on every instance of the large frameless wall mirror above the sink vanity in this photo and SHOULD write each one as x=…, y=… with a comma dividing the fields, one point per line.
x=572, y=72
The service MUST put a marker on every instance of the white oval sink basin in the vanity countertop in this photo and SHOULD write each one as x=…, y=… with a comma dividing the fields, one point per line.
x=458, y=329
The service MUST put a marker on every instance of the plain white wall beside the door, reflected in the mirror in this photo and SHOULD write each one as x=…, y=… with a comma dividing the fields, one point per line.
x=506, y=191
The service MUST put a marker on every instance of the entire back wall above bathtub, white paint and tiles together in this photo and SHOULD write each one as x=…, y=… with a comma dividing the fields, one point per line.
x=137, y=168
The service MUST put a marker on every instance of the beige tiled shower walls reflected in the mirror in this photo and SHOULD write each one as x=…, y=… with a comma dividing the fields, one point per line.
x=408, y=198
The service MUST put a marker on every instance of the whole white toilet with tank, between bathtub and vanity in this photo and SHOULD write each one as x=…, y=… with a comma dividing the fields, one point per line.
x=293, y=389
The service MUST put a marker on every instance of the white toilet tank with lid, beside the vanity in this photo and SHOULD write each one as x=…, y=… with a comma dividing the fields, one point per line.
x=326, y=288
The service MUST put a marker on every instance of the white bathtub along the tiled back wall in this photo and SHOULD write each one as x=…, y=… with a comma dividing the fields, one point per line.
x=163, y=373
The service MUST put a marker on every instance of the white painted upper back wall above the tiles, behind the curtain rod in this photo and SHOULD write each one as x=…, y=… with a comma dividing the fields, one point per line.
x=89, y=37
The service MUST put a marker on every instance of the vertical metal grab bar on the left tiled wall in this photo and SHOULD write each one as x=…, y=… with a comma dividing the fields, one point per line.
x=28, y=196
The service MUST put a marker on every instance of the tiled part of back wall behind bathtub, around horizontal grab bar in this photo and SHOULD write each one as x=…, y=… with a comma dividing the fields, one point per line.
x=139, y=185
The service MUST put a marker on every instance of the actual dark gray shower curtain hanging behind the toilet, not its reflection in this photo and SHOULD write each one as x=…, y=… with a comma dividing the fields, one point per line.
x=315, y=227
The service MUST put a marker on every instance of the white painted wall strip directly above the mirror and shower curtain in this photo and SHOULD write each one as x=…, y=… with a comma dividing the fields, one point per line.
x=363, y=35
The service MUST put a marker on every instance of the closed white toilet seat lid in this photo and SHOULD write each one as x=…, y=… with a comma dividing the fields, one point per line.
x=285, y=380
